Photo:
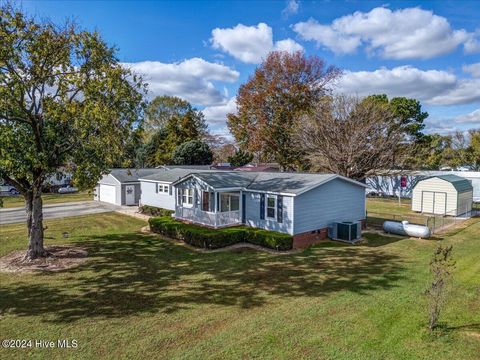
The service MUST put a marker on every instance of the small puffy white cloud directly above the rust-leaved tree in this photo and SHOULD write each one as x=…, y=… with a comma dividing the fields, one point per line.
x=250, y=44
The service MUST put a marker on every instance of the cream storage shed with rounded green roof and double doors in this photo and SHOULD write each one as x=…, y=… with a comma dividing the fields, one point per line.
x=443, y=195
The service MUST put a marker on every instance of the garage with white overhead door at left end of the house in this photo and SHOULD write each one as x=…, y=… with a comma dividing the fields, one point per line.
x=121, y=186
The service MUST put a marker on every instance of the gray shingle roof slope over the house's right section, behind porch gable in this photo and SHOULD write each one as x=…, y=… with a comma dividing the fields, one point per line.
x=291, y=183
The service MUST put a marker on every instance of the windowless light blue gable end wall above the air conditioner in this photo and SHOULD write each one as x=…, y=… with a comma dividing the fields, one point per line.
x=337, y=200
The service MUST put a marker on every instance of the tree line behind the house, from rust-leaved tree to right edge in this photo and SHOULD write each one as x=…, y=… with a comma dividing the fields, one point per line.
x=287, y=112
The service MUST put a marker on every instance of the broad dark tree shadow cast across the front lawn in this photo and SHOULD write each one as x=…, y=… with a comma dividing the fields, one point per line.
x=137, y=273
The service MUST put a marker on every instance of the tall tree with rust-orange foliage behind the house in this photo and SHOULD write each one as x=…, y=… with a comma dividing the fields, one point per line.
x=283, y=88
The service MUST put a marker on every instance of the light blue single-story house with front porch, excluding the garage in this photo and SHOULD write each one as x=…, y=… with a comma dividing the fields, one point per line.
x=303, y=205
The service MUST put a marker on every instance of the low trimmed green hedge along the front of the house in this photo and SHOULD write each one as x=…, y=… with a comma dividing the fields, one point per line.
x=203, y=237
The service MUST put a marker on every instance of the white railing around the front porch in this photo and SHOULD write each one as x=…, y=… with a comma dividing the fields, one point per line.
x=218, y=219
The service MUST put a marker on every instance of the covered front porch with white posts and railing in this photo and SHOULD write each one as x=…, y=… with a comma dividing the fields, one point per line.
x=210, y=208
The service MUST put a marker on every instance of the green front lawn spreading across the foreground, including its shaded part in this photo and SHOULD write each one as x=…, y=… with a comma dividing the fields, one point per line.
x=143, y=297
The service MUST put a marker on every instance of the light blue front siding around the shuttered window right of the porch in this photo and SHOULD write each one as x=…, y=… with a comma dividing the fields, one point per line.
x=252, y=214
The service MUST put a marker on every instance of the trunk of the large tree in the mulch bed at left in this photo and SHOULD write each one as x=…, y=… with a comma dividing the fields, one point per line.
x=34, y=207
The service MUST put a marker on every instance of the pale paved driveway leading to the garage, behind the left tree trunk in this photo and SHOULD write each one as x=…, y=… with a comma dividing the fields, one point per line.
x=17, y=215
